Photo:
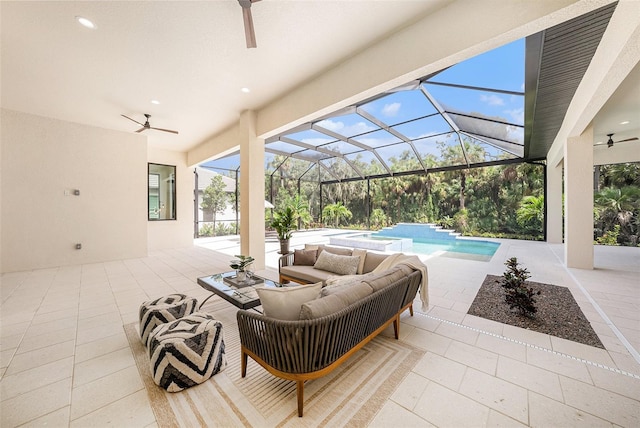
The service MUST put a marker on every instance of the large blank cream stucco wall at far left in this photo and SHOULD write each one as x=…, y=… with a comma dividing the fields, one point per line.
x=43, y=161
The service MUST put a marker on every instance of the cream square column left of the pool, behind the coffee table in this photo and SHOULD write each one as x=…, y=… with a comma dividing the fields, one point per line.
x=251, y=190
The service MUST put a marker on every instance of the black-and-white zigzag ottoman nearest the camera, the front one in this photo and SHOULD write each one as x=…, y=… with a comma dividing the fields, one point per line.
x=186, y=352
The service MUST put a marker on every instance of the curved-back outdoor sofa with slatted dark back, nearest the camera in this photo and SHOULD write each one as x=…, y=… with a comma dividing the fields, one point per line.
x=331, y=327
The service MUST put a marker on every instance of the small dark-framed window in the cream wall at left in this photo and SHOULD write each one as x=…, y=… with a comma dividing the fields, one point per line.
x=162, y=192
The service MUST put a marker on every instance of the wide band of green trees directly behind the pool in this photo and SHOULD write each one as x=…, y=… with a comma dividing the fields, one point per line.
x=475, y=201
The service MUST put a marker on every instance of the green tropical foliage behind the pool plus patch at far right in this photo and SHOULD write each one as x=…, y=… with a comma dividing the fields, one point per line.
x=504, y=201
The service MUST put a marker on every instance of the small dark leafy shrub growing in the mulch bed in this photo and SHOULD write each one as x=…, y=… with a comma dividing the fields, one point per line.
x=517, y=295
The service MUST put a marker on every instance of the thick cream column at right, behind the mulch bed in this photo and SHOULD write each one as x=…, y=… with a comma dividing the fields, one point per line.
x=578, y=200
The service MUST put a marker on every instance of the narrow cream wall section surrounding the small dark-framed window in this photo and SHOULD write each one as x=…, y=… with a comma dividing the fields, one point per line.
x=173, y=233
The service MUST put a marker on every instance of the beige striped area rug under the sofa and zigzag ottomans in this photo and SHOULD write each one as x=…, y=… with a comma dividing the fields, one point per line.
x=349, y=396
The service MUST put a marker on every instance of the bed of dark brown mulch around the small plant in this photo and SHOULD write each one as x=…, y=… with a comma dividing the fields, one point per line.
x=558, y=314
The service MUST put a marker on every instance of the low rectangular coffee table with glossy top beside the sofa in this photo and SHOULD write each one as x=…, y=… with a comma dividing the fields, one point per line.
x=244, y=297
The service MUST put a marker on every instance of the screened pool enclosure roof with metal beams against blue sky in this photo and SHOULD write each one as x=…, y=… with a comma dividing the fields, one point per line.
x=470, y=113
